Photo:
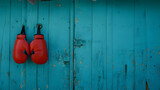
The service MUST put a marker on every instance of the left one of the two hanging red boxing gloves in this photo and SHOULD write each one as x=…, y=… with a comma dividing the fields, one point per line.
x=21, y=48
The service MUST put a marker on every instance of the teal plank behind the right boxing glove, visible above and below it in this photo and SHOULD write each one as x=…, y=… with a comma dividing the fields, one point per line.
x=43, y=18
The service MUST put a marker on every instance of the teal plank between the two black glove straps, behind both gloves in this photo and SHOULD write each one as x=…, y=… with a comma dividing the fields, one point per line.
x=31, y=28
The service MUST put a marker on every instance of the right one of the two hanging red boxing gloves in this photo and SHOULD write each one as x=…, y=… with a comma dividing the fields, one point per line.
x=38, y=48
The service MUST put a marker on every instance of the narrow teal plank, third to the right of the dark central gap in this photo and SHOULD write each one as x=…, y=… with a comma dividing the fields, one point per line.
x=109, y=44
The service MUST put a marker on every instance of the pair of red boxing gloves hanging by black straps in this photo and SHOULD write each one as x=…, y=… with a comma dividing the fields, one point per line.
x=37, y=48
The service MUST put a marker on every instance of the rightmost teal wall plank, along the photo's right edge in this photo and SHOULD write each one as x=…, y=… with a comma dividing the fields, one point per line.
x=153, y=44
